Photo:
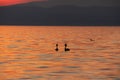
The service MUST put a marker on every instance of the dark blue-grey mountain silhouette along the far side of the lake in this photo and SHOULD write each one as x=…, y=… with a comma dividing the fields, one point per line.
x=24, y=14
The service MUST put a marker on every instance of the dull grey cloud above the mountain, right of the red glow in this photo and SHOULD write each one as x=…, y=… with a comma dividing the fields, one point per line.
x=85, y=2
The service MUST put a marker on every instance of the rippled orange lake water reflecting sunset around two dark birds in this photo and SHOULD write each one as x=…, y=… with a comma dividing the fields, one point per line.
x=28, y=53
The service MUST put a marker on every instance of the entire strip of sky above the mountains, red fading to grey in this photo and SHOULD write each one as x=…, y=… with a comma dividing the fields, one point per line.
x=64, y=2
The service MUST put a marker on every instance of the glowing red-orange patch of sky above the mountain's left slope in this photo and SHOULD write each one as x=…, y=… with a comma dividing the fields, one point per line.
x=13, y=2
